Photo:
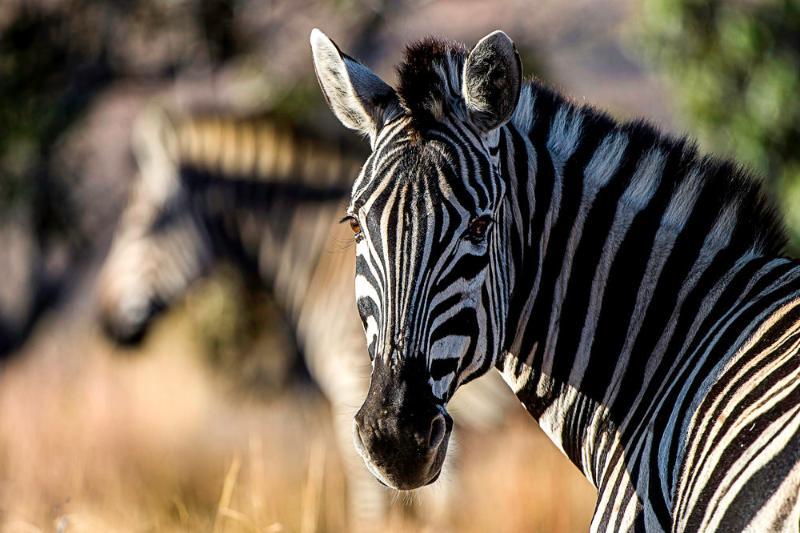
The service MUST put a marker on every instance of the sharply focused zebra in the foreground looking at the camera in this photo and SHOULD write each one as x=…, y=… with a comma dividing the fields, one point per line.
x=631, y=291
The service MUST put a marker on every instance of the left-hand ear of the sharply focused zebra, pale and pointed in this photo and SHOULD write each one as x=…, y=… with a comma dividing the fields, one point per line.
x=356, y=95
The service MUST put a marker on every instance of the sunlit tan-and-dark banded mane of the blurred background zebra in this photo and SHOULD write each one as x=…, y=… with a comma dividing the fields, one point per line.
x=251, y=148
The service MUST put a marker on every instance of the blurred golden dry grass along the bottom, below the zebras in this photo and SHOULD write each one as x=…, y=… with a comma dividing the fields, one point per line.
x=96, y=441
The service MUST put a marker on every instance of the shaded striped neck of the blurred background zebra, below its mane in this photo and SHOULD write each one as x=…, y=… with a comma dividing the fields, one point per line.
x=274, y=232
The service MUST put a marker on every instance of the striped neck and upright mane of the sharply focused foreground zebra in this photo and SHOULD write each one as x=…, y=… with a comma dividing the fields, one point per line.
x=621, y=241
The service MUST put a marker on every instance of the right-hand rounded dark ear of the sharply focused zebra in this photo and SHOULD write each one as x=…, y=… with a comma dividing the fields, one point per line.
x=492, y=80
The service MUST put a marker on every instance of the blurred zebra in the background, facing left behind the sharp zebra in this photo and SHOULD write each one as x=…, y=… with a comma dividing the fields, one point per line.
x=266, y=196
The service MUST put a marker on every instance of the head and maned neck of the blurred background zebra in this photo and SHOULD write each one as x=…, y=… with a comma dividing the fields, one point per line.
x=250, y=190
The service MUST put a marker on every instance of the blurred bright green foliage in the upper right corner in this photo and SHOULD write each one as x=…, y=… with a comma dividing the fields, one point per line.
x=734, y=68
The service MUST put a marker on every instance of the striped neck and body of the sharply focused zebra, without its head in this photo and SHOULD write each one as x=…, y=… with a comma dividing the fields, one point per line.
x=658, y=336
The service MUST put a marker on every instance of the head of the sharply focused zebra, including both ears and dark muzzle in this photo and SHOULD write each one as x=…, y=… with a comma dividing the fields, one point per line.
x=428, y=215
